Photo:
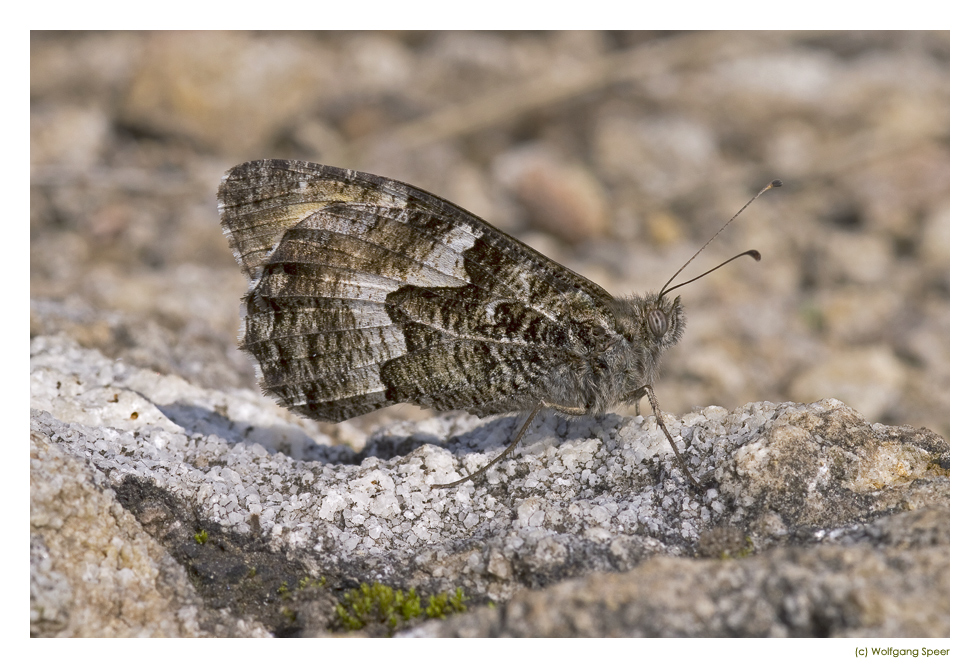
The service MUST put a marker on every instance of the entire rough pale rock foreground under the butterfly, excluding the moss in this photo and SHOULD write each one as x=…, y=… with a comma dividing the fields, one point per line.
x=814, y=490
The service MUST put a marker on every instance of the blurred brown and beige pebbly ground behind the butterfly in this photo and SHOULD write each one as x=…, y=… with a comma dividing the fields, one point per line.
x=617, y=154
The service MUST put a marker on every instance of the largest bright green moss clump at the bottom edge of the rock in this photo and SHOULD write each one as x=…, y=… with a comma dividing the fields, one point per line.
x=379, y=604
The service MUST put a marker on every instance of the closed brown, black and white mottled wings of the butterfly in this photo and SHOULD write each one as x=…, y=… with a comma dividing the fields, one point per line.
x=368, y=292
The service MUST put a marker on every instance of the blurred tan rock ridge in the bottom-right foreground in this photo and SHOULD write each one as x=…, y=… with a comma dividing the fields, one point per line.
x=825, y=591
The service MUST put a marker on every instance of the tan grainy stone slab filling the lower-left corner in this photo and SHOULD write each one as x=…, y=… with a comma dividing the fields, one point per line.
x=95, y=572
